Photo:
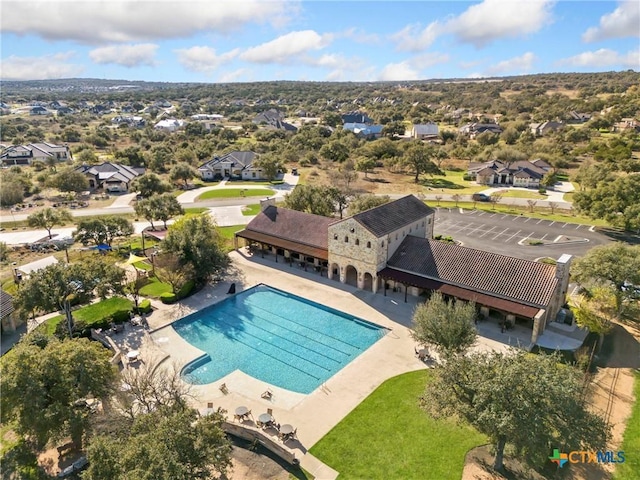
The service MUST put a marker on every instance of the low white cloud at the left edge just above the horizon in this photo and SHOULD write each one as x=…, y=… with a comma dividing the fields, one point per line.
x=40, y=68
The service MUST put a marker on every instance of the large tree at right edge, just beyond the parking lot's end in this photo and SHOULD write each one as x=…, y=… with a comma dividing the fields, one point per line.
x=616, y=201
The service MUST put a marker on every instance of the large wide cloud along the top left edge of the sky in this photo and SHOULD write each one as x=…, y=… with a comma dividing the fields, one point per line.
x=115, y=21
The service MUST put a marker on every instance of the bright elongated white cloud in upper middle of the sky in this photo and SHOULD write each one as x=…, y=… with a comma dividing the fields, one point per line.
x=287, y=48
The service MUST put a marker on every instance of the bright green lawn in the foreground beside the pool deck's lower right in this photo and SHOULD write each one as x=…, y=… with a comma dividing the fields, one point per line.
x=389, y=436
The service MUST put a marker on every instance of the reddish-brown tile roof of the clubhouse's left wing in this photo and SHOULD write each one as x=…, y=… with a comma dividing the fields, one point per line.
x=294, y=226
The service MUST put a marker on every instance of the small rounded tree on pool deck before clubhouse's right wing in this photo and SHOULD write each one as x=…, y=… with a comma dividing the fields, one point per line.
x=449, y=326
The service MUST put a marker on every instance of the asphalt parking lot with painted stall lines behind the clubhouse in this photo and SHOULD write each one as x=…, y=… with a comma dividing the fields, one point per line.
x=512, y=234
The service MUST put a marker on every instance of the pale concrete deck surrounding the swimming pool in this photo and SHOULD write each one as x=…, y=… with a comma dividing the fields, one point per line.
x=318, y=412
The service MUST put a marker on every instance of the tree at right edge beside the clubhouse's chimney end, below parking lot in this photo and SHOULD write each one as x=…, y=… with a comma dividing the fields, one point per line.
x=616, y=266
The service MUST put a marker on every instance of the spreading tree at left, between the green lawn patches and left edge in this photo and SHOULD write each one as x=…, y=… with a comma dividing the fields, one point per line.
x=57, y=286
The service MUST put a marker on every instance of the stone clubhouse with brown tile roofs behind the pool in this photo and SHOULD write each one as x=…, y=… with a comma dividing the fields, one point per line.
x=391, y=248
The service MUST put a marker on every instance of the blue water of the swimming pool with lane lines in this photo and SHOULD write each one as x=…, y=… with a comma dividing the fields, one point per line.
x=276, y=337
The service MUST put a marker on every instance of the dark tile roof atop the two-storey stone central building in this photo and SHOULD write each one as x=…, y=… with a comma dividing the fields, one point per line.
x=391, y=216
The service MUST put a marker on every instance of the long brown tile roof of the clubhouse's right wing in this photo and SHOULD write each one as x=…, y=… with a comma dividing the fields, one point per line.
x=484, y=272
